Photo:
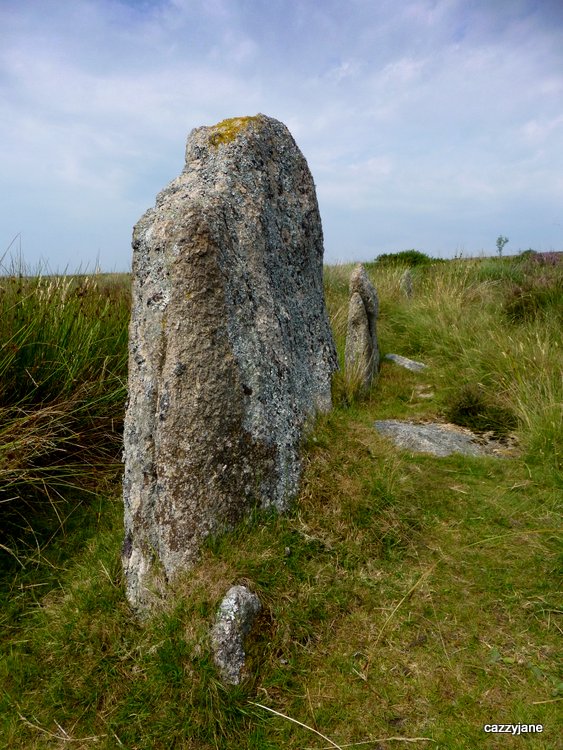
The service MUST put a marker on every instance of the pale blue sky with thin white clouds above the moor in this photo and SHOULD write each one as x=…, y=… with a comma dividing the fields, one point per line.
x=427, y=124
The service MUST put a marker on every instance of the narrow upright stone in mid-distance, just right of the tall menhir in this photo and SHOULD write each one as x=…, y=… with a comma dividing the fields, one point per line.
x=362, y=350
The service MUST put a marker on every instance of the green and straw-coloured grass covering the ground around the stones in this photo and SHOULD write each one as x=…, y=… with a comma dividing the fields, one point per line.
x=404, y=596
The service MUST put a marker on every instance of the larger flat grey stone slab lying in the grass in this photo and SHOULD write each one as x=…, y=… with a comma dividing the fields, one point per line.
x=439, y=439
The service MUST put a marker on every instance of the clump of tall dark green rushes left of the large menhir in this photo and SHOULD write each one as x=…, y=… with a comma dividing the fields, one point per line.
x=63, y=362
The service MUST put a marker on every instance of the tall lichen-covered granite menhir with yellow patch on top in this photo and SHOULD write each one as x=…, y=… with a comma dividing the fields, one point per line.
x=230, y=349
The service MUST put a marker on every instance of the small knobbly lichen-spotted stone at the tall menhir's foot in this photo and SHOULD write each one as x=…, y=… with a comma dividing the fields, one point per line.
x=233, y=623
